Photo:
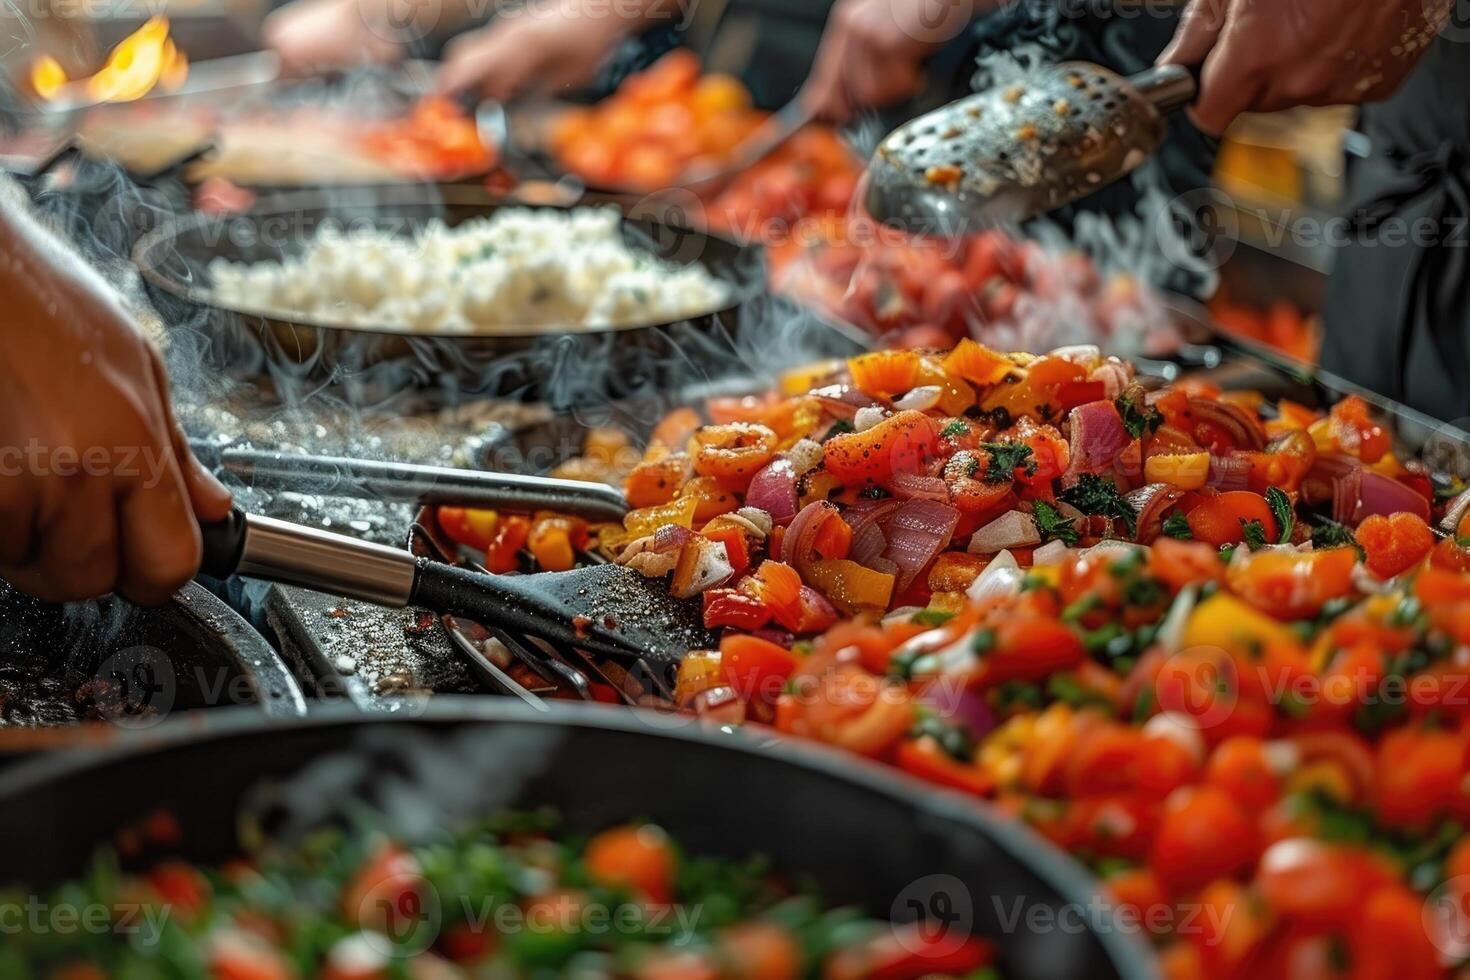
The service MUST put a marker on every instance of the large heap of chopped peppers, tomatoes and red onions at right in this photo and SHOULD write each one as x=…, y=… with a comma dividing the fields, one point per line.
x=1213, y=647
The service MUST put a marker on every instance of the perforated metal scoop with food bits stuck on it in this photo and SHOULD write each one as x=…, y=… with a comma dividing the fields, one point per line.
x=1021, y=151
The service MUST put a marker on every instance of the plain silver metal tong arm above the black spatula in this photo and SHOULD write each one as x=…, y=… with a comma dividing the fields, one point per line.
x=414, y=484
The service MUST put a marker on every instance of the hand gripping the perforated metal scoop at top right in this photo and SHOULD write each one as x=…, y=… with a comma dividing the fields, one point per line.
x=1271, y=55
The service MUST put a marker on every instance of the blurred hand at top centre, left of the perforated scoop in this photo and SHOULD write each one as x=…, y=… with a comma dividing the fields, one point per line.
x=872, y=52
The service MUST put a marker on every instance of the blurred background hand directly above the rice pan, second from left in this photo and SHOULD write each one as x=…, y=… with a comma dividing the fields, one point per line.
x=553, y=46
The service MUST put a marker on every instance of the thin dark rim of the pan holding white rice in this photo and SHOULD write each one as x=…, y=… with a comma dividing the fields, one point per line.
x=414, y=195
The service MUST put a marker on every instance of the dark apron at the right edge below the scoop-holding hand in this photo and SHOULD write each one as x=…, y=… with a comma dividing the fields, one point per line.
x=1399, y=302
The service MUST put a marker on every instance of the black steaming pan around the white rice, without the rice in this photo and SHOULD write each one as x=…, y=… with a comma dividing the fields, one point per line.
x=562, y=368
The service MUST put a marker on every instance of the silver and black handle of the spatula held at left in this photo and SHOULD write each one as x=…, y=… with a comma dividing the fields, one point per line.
x=308, y=558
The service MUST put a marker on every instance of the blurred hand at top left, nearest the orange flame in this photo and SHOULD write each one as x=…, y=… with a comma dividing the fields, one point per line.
x=312, y=36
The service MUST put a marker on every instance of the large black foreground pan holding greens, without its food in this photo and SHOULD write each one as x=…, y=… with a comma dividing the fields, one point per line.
x=868, y=838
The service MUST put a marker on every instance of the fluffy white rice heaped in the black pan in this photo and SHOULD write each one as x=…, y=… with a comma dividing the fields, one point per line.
x=520, y=268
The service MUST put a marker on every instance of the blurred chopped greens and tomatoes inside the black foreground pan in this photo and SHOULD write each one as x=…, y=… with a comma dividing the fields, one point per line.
x=502, y=900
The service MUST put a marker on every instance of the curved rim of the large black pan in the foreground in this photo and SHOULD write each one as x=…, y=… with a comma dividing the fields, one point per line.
x=1053, y=866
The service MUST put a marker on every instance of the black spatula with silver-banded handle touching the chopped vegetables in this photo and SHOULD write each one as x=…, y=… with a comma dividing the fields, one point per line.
x=605, y=609
